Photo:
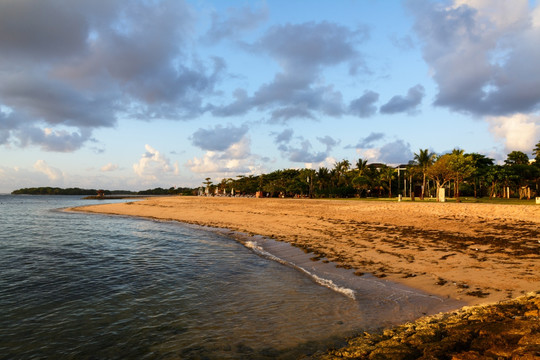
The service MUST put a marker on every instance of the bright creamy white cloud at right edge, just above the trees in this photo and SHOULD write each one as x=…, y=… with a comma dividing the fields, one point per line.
x=519, y=132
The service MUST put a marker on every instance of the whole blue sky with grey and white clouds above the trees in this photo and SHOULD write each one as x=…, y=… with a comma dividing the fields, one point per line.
x=137, y=94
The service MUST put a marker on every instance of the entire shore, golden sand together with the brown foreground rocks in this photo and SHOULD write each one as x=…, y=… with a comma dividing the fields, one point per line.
x=482, y=255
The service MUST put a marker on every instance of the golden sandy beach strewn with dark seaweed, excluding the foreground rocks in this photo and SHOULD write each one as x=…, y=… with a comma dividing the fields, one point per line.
x=477, y=253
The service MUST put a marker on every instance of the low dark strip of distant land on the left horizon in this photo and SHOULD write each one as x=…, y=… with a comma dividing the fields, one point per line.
x=102, y=193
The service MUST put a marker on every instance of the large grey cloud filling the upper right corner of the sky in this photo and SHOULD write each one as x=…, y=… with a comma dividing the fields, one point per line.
x=482, y=64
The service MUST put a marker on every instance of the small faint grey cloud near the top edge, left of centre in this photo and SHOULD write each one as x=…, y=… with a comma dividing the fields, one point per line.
x=235, y=21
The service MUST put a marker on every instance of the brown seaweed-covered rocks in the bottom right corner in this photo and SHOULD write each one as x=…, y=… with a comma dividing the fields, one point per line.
x=507, y=330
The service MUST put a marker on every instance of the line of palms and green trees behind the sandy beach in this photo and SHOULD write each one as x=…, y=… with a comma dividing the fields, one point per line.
x=457, y=172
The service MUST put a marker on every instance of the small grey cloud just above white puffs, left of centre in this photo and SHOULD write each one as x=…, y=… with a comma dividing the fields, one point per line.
x=219, y=138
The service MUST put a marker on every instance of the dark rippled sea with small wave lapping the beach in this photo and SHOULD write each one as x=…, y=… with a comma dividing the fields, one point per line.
x=90, y=286
